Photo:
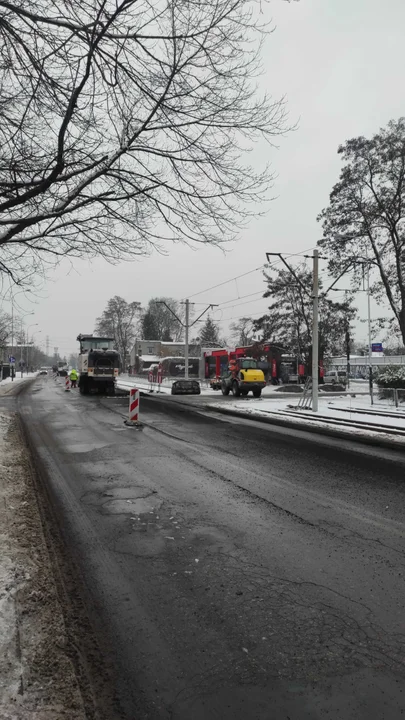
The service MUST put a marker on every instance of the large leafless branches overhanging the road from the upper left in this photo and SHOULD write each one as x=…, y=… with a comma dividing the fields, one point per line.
x=122, y=126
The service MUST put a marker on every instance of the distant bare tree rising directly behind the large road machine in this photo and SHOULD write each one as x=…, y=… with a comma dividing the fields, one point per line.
x=118, y=321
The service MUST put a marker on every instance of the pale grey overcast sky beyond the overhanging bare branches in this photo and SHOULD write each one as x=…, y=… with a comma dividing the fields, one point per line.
x=340, y=64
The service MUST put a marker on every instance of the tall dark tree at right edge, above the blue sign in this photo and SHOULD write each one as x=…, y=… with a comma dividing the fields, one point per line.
x=366, y=214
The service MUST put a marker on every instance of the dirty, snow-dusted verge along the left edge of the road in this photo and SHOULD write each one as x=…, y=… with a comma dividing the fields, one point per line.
x=37, y=677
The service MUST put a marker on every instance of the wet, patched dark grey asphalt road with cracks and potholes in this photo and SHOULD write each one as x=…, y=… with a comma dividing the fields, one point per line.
x=234, y=571
